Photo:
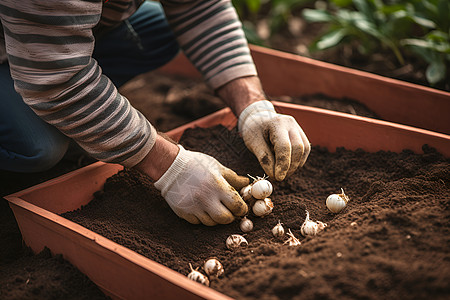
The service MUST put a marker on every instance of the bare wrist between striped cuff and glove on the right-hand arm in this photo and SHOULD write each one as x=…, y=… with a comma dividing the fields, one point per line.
x=241, y=92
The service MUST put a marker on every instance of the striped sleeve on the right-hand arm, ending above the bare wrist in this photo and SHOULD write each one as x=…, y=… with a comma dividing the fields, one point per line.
x=211, y=36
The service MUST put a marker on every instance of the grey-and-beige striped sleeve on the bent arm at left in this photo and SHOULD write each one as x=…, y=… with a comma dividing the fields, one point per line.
x=49, y=47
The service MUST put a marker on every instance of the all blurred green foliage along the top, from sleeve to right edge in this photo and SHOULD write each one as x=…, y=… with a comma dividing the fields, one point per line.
x=414, y=31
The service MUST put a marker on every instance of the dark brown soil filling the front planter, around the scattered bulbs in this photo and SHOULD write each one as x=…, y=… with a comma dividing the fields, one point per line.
x=392, y=240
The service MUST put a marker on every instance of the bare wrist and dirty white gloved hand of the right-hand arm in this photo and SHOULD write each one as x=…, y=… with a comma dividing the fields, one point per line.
x=278, y=142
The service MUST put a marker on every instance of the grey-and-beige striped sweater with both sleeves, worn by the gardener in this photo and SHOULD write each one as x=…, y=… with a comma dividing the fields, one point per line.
x=49, y=45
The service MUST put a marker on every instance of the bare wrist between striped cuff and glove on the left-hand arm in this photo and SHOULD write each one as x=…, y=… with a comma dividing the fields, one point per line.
x=159, y=158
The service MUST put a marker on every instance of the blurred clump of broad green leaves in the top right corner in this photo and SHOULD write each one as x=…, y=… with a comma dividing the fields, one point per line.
x=421, y=26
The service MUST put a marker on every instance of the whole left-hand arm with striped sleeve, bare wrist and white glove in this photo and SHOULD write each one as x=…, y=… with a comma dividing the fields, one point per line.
x=50, y=48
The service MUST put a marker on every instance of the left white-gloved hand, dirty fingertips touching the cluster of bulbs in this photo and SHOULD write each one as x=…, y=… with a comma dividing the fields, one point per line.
x=201, y=190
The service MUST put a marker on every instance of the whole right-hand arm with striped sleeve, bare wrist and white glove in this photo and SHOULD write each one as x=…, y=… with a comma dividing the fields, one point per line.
x=212, y=38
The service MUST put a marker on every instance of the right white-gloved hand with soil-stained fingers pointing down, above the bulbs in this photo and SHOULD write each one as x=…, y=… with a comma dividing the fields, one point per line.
x=277, y=140
